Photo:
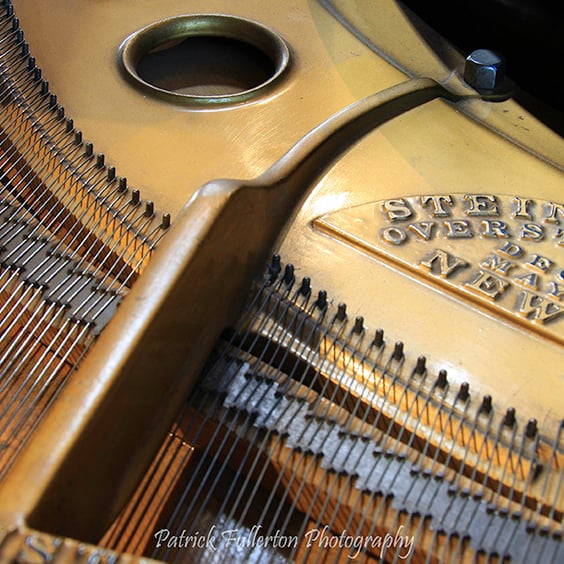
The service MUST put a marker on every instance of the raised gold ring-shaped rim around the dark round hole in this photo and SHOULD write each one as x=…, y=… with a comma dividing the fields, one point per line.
x=250, y=32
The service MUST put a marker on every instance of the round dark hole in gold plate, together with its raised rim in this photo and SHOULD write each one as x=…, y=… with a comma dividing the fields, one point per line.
x=205, y=60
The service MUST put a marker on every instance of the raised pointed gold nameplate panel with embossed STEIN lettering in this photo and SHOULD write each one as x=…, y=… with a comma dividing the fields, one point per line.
x=500, y=252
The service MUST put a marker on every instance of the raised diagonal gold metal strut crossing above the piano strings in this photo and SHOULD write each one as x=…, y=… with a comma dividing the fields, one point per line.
x=193, y=289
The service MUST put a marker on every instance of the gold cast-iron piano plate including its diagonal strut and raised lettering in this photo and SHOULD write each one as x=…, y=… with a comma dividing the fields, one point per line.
x=444, y=226
